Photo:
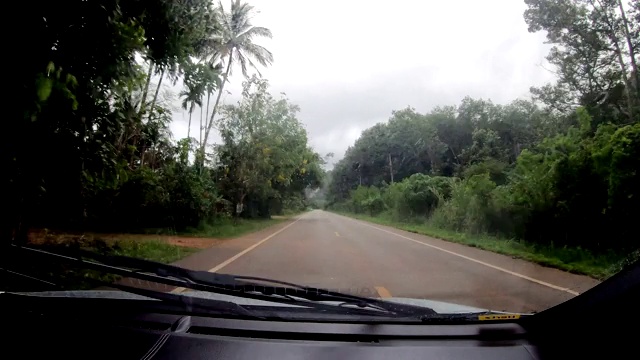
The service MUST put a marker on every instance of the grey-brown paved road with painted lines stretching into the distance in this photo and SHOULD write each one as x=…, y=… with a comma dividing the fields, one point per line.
x=330, y=251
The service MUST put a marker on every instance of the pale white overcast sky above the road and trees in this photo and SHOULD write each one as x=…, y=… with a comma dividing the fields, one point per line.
x=349, y=63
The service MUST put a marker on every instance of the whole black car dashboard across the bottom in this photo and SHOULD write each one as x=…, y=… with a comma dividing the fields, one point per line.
x=602, y=323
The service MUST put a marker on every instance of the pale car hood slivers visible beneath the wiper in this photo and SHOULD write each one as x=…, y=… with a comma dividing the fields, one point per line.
x=438, y=306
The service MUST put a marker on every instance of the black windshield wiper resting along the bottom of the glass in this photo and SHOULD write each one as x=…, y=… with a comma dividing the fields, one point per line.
x=236, y=285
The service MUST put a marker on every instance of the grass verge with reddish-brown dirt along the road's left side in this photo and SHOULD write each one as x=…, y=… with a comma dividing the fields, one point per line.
x=158, y=247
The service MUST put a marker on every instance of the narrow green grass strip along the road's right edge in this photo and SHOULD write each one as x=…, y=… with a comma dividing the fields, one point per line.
x=575, y=260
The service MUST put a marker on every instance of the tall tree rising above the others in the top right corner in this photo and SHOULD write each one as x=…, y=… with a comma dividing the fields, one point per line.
x=595, y=51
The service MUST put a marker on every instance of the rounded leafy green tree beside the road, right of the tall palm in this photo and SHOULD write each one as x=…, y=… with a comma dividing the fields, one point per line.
x=264, y=154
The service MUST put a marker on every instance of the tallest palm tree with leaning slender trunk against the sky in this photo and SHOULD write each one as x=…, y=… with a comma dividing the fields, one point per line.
x=235, y=43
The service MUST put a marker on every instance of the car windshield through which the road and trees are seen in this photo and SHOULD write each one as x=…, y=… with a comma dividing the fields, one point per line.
x=460, y=157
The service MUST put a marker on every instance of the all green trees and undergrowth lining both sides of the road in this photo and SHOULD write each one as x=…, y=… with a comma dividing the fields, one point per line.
x=552, y=179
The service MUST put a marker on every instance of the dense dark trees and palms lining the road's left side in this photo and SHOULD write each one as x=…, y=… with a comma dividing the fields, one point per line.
x=88, y=142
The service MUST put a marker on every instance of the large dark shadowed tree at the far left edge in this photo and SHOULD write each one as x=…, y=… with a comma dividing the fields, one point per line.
x=80, y=142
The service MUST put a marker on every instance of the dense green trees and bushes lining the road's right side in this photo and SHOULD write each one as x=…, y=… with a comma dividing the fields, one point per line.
x=559, y=169
